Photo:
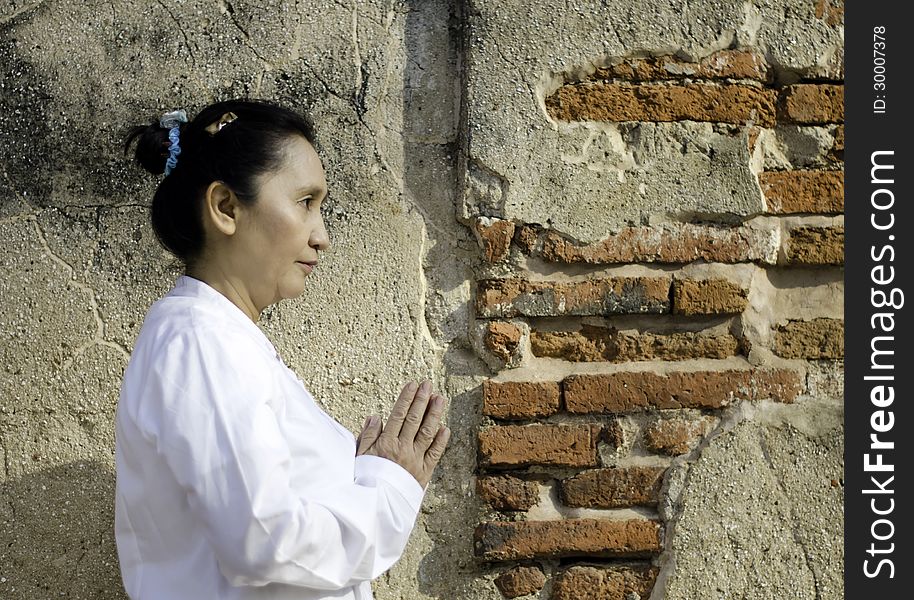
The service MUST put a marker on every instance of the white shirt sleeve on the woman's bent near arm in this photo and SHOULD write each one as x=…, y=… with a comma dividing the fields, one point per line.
x=221, y=438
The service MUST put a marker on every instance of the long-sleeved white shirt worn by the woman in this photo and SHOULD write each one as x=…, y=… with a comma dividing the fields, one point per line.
x=232, y=483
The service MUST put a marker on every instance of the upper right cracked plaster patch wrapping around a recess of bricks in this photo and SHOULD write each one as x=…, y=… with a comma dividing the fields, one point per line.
x=609, y=175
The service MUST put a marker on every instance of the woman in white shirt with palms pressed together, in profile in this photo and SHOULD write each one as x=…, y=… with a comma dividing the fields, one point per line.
x=231, y=482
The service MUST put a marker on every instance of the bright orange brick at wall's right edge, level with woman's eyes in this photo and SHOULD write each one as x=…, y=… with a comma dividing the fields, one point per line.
x=803, y=191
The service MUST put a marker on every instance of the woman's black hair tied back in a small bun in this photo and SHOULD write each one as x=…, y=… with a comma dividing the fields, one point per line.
x=236, y=154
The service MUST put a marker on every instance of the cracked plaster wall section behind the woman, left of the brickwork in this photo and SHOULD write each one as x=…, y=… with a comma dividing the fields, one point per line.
x=81, y=264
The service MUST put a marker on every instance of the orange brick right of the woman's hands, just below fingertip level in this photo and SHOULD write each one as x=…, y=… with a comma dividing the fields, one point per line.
x=558, y=445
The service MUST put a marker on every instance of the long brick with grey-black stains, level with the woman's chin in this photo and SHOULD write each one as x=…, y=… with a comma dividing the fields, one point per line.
x=611, y=296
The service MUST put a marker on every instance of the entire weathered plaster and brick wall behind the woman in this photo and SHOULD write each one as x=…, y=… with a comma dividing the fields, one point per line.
x=507, y=219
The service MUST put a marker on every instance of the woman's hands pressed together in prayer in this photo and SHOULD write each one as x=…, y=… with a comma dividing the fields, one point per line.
x=413, y=436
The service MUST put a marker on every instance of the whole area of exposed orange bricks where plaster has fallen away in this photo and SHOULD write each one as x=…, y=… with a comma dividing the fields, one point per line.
x=617, y=358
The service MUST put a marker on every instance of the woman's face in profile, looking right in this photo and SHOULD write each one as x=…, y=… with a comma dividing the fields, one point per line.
x=284, y=228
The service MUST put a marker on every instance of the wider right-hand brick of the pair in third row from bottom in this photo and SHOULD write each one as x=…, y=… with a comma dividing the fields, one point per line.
x=613, y=487
